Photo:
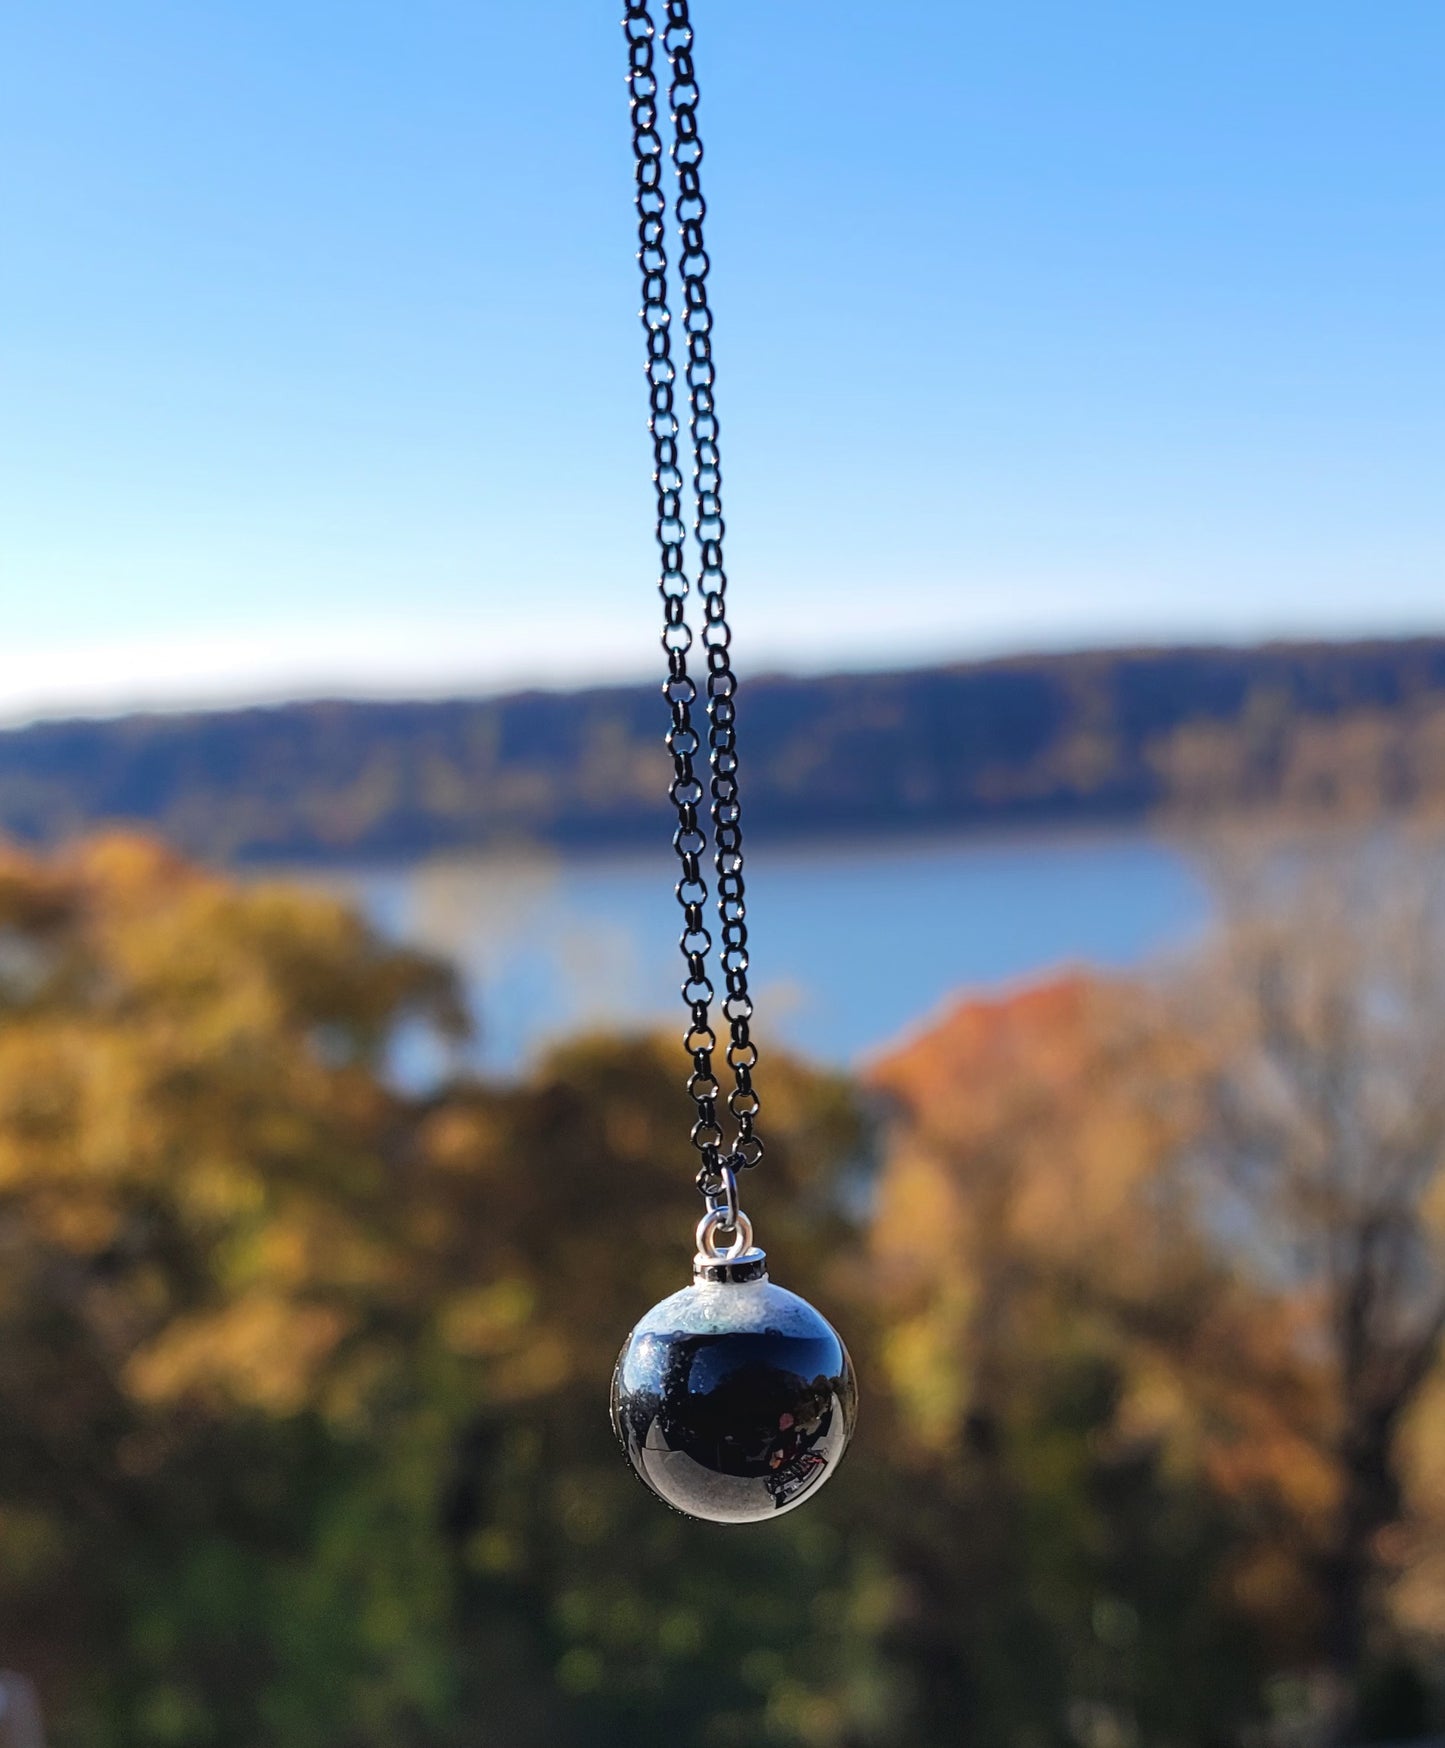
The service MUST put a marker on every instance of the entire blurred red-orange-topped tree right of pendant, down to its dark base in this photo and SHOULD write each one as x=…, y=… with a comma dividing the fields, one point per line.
x=1065, y=1359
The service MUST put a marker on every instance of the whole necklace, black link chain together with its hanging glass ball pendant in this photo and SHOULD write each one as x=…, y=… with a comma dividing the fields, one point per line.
x=733, y=1399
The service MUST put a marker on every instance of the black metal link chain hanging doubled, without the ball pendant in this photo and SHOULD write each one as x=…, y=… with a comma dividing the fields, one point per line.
x=712, y=585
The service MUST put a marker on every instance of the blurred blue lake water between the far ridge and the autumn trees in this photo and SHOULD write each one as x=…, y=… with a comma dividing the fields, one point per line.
x=852, y=945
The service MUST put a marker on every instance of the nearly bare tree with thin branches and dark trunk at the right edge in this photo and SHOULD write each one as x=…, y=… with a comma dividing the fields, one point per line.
x=1324, y=1002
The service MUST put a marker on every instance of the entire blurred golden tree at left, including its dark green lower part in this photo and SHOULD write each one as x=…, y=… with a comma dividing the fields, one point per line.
x=197, y=1162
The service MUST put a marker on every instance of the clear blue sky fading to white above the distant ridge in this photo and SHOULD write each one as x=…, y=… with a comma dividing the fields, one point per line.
x=1037, y=326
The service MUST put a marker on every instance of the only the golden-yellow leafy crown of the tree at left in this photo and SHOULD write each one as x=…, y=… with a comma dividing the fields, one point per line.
x=191, y=1107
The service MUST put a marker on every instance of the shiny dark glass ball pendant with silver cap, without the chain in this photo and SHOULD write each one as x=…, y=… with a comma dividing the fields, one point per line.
x=735, y=1399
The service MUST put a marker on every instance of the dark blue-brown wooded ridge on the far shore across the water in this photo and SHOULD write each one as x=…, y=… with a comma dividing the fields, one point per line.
x=1102, y=740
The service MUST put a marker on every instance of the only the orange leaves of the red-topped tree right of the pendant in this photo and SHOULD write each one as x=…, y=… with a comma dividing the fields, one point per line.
x=1035, y=1200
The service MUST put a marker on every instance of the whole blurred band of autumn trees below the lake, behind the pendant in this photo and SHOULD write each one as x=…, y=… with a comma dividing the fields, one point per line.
x=303, y=1378
